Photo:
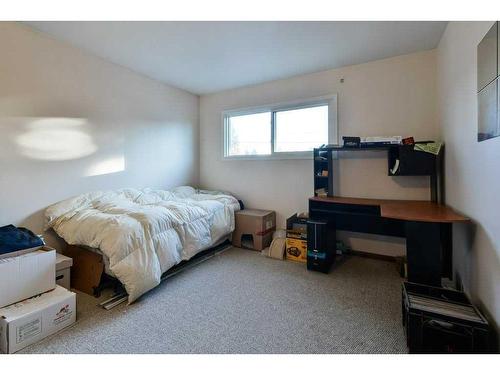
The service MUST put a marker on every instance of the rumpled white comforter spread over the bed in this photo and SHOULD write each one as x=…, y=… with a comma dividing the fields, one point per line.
x=144, y=232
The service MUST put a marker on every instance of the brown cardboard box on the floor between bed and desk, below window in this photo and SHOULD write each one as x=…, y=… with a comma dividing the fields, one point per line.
x=260, y=224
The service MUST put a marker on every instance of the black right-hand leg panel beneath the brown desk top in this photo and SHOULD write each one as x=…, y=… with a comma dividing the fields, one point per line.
x=423, y=250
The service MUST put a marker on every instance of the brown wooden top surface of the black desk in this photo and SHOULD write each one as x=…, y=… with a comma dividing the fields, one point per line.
x=403, y=209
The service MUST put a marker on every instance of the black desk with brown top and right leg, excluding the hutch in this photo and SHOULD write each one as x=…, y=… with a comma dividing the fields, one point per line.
x=427, y=227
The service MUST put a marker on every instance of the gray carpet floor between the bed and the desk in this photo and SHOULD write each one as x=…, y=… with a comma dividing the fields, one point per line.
x=243, y=302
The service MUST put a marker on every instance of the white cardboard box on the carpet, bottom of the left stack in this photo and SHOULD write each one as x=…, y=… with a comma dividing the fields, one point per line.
x=31, y=320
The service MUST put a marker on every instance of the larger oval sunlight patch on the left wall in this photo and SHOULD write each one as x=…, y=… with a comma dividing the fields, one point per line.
x=56, y=139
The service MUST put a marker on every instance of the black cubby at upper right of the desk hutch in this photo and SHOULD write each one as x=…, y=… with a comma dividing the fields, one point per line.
x=411, y=162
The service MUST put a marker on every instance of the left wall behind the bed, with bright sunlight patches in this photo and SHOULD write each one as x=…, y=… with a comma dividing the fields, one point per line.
x=72, y=123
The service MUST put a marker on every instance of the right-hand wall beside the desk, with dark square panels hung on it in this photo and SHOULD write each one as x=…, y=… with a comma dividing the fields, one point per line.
x=472, y=168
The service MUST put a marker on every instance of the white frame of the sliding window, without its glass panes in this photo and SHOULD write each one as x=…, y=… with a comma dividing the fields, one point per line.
x=330, y=100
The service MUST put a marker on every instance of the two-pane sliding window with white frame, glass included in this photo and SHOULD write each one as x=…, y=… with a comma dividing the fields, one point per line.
x=281, y=131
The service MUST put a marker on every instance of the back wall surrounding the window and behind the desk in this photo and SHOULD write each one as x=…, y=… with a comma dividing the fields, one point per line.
x=395, y=96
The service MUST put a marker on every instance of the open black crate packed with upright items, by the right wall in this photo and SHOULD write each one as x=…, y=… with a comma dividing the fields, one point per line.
x=438, y=320
